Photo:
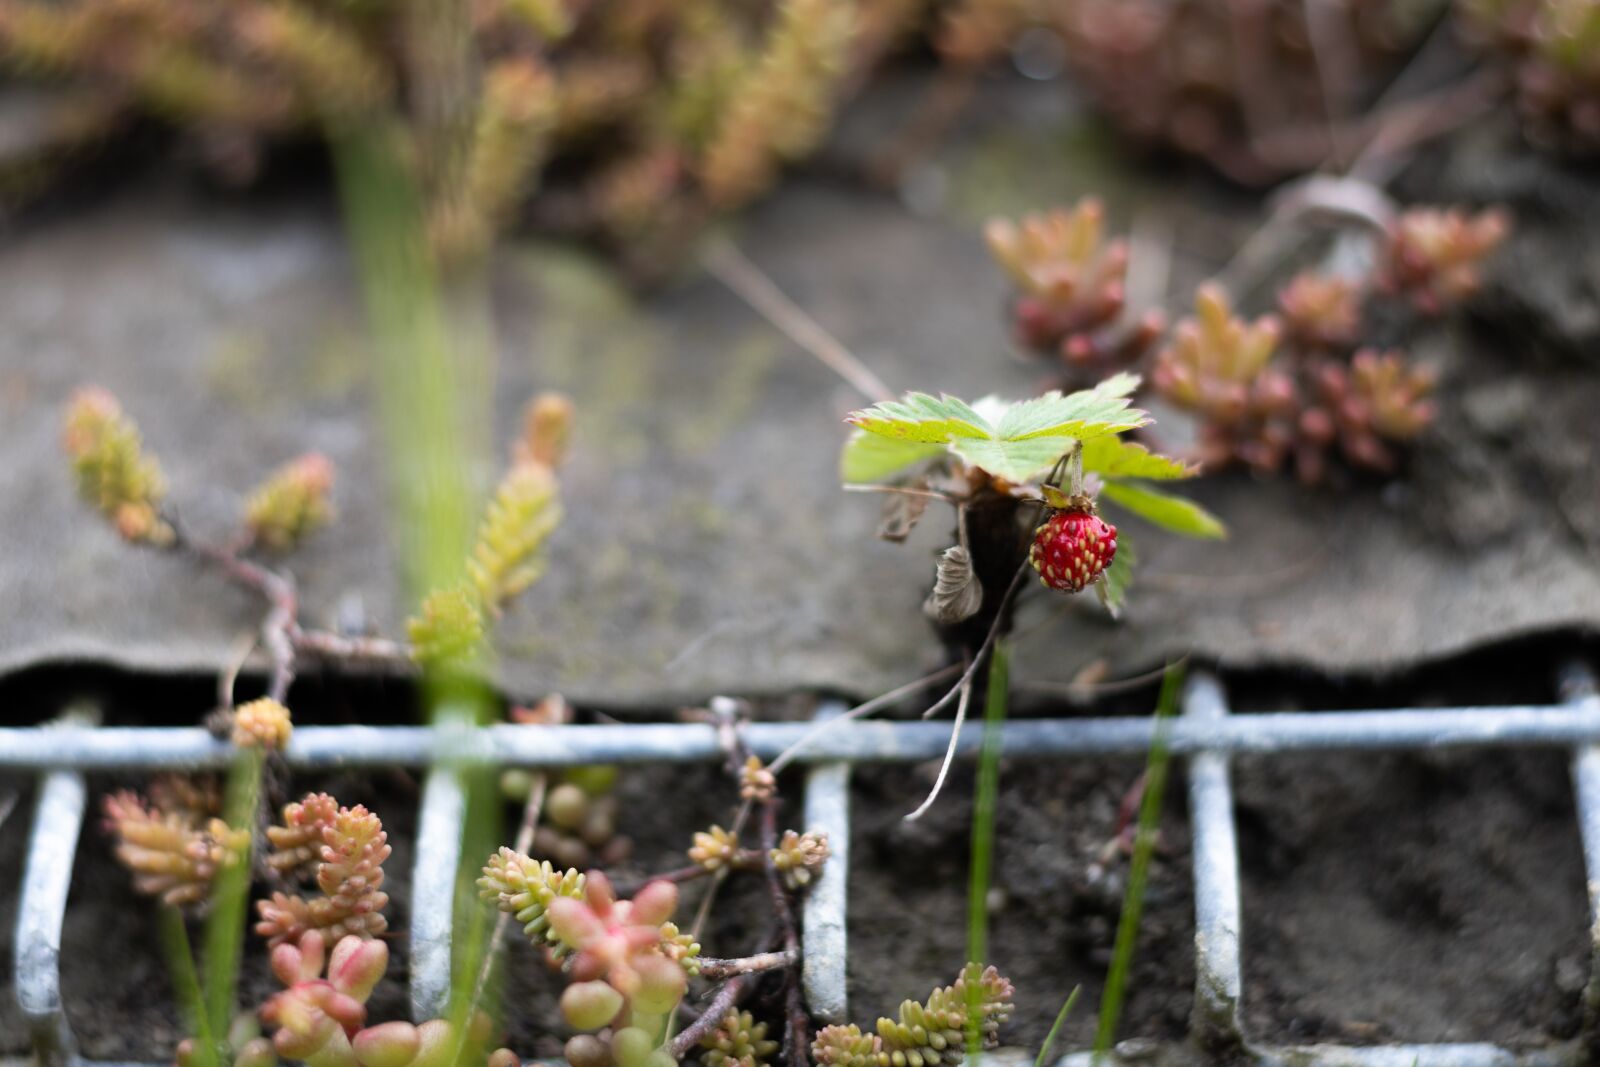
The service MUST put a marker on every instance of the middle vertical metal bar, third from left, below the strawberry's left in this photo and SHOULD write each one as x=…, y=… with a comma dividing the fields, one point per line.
x=825, y=911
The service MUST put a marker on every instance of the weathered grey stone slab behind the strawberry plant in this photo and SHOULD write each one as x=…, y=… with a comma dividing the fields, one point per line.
x=708, y=546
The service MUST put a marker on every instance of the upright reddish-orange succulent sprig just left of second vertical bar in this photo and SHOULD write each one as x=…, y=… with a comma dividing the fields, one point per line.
x=351, y=876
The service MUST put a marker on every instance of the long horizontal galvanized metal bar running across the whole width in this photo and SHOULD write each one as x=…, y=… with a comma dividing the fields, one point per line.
x=321, y=748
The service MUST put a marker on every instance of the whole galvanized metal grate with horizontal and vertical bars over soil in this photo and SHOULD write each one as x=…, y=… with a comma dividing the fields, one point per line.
x=1207, y=735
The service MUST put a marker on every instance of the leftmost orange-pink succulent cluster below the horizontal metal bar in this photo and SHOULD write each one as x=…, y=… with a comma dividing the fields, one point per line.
x=174, y=842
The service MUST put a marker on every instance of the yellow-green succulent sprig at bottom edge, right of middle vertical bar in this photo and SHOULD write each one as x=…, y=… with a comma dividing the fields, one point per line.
x=927, y=1034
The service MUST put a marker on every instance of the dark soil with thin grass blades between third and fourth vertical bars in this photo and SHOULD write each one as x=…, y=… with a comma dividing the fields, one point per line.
x=1054, y=906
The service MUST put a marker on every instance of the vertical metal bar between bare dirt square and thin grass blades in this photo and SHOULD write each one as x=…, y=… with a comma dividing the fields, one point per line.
x=1218, y=980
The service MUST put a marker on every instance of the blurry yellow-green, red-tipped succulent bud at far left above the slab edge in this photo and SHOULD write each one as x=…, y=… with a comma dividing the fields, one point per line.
x=111, y=470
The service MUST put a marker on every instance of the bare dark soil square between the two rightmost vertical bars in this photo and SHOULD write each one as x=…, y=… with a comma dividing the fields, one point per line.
x=1412, y=898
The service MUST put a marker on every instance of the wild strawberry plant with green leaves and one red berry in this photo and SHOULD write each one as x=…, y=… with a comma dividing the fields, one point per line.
x=1010, y=468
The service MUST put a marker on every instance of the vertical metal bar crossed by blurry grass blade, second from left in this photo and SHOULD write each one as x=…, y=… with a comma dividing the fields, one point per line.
x=439, y=831
